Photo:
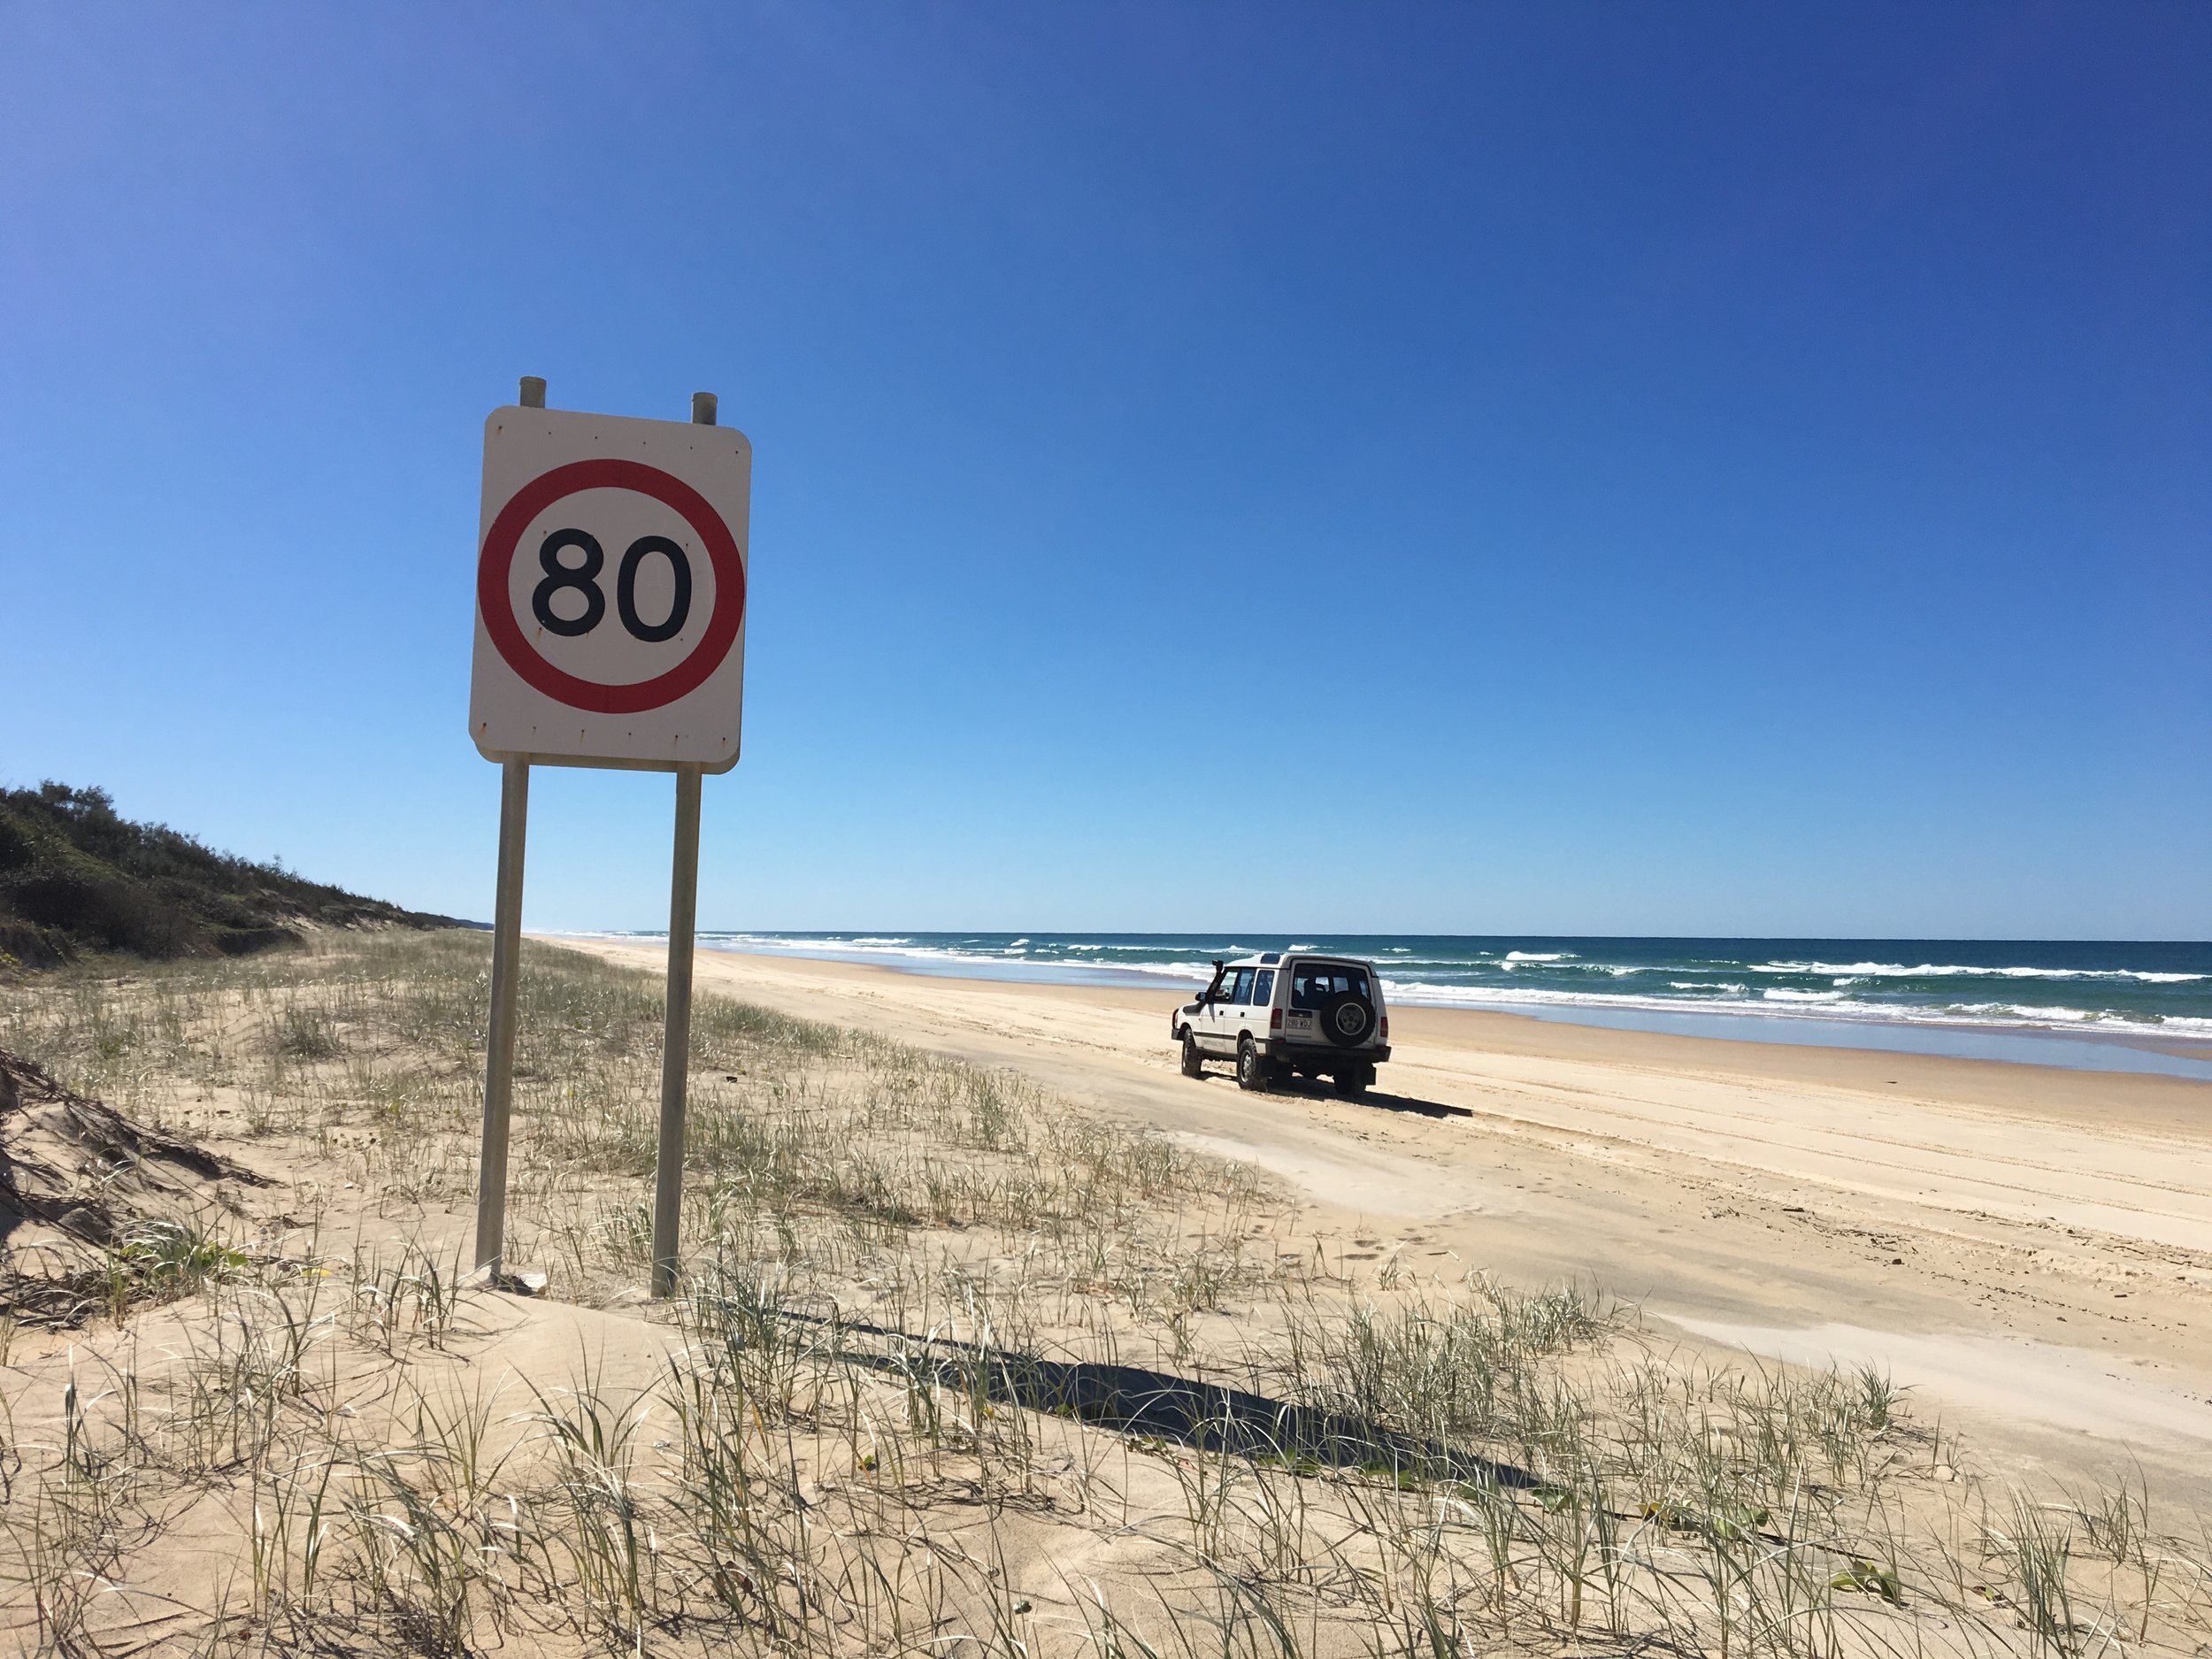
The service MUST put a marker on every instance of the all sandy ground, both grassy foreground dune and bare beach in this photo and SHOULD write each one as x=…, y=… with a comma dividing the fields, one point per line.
x=992, y=1319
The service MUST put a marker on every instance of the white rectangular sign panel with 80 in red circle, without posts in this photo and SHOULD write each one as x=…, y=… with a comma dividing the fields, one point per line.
x=612, y=592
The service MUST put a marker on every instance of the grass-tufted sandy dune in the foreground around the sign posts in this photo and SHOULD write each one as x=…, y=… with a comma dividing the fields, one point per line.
x=957, y=1368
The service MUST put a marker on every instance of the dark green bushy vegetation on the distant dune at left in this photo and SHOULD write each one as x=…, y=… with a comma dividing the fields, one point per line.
x=81, y=879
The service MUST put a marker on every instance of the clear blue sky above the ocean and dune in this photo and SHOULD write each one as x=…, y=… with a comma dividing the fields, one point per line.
x=1704, y=470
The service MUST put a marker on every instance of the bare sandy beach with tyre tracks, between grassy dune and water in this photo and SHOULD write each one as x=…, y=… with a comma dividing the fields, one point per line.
x=2027, y=1249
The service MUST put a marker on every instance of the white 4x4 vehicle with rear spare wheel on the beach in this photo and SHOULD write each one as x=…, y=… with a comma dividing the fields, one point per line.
x=1288, y=1014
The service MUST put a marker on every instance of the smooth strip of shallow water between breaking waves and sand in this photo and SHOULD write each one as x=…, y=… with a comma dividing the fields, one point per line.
x=1872, y=1032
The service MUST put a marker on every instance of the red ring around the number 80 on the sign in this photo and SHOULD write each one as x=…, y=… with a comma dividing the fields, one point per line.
x=499, y=612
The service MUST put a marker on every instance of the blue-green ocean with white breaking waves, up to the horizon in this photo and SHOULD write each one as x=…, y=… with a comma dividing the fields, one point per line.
x=2103, y=1005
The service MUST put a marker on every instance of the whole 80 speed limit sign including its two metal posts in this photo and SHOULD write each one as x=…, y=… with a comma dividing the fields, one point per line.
x=649, y=682
